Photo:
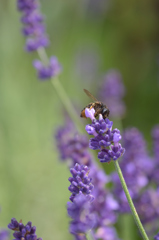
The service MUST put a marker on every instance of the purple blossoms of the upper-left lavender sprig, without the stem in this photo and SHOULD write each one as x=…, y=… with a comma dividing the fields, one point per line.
x=34, y=30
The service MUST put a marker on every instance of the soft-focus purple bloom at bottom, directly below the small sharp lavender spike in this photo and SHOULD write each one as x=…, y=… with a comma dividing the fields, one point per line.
x=82, y=219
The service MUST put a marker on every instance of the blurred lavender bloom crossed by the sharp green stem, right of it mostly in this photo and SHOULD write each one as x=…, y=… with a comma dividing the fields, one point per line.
x=136, y=167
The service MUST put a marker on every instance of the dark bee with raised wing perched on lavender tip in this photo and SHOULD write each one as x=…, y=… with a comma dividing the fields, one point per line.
x=98, y=106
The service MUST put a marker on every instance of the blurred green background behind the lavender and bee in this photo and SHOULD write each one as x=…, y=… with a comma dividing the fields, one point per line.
x=89, y=37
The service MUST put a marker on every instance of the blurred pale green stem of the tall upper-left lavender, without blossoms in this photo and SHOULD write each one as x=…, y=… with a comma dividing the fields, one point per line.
x=61, y=93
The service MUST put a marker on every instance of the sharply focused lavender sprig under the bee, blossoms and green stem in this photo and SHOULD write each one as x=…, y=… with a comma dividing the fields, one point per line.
x=104, y=136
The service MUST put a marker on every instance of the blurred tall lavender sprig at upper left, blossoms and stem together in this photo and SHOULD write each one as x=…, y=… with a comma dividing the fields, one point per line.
x=37, y=40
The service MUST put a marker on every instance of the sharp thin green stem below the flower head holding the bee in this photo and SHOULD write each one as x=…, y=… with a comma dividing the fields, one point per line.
x=132, y=207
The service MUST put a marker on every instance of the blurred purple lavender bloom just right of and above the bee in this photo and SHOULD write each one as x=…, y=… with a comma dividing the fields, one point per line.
x=112, y=91
